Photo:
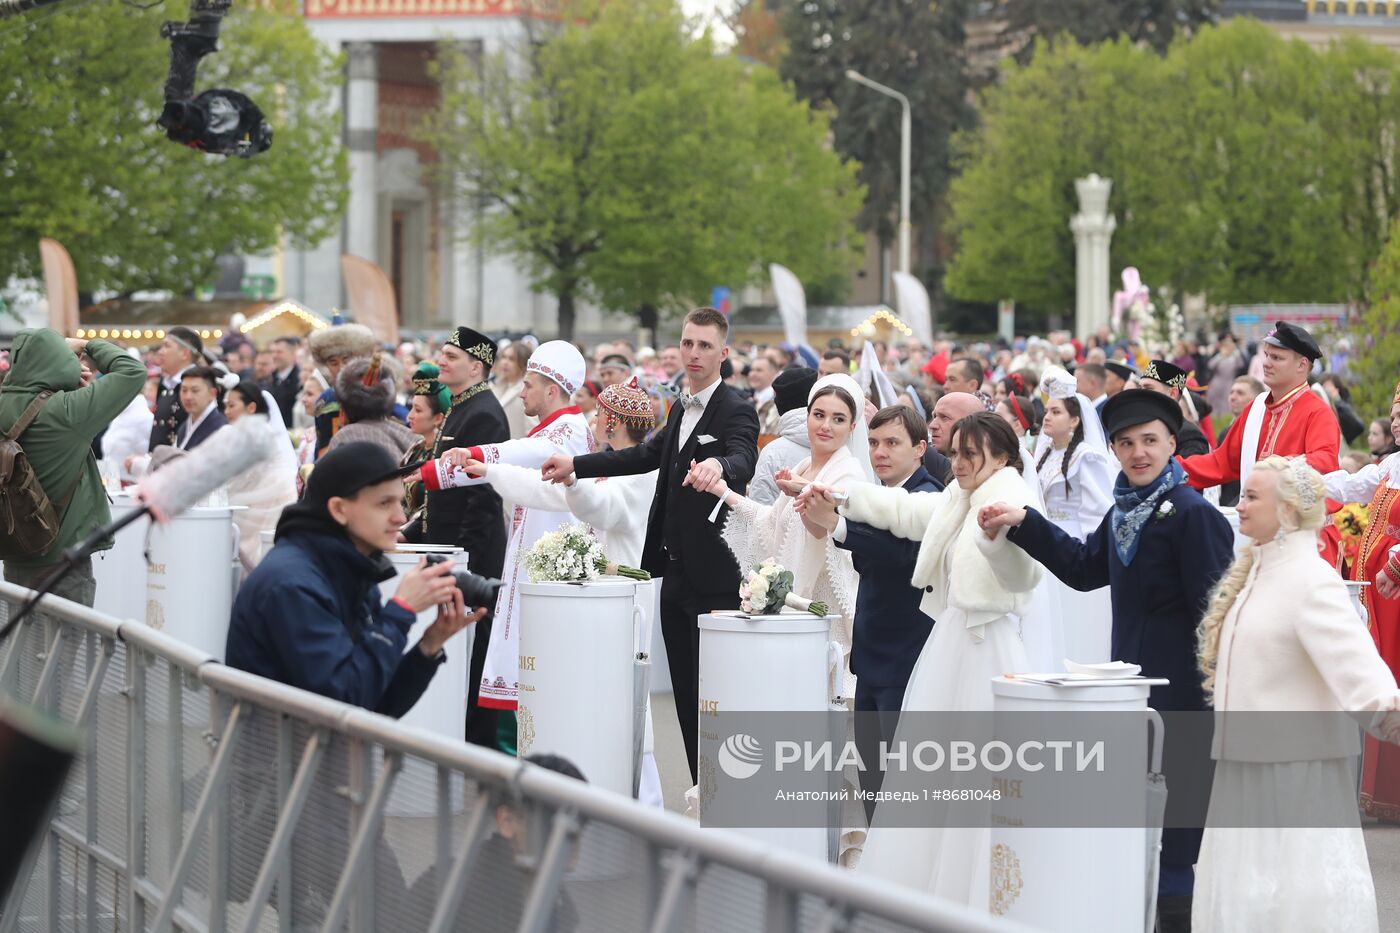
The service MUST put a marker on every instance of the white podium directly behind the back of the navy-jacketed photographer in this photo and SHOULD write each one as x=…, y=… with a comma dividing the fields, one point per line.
x=191, y=578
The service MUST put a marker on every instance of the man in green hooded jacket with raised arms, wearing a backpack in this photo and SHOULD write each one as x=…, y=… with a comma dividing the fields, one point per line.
x=58, y=443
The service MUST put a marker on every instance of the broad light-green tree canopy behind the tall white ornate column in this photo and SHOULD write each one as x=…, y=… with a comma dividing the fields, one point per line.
x=1233, y=172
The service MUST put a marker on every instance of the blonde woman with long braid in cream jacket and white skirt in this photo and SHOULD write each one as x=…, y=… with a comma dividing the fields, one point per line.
x=1282, y=635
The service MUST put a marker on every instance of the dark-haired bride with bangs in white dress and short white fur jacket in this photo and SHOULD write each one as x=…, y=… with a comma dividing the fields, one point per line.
x=979, y=592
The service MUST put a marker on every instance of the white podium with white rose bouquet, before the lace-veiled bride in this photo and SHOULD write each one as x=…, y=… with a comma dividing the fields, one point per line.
x=766, y=663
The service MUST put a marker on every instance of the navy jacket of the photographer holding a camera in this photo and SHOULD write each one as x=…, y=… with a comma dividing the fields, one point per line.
x=311, y=616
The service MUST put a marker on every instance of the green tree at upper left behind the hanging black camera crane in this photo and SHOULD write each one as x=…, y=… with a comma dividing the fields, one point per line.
x=83, y=162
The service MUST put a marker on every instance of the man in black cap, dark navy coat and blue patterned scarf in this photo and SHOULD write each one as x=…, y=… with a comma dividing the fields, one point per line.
x=1160, y=550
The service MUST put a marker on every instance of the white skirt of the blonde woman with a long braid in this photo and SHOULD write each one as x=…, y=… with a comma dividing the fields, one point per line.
x=1263, y=879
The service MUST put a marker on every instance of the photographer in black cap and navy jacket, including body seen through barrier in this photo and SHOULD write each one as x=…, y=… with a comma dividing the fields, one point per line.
x=311, y=616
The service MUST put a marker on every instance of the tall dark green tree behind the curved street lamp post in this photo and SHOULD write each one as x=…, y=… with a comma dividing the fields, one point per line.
x=915, y=47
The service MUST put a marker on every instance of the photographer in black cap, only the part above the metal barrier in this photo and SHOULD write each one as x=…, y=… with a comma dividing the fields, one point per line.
x=311, y=616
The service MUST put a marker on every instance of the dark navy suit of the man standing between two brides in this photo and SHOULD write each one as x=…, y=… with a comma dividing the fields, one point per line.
x=890, y=630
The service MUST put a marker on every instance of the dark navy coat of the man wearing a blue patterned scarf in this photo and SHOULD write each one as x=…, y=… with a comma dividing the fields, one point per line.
x=1160, y=599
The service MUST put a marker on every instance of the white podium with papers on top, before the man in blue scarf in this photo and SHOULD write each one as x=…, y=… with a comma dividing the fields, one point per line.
x=1087, y=880
